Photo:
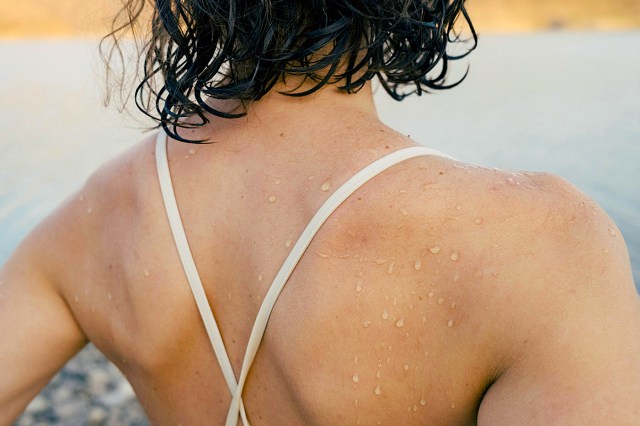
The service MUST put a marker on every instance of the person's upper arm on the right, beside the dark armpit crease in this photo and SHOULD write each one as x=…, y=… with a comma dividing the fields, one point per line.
x=575, y=354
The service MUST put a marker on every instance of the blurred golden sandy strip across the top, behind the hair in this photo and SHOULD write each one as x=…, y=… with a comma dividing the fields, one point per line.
x=65, y=18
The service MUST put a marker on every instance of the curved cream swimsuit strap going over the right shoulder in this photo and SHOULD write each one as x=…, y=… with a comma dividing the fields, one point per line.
x=329, y=206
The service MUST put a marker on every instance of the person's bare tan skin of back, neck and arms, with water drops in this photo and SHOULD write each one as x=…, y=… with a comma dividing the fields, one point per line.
x=465, y=295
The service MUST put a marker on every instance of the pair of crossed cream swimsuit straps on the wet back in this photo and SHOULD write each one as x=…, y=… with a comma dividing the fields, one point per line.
x=330, y=205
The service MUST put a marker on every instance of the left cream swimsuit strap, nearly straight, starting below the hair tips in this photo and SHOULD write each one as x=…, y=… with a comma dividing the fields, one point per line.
x=190, y=270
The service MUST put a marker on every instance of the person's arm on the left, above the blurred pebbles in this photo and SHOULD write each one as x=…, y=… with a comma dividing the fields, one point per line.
x=38, y=332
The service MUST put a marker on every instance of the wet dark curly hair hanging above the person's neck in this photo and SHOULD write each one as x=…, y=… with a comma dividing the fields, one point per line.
x=239, y=49
